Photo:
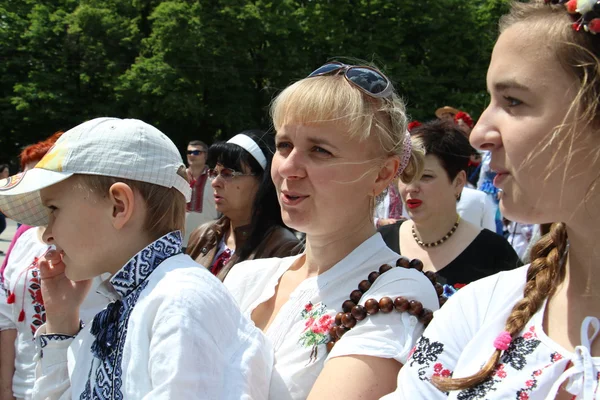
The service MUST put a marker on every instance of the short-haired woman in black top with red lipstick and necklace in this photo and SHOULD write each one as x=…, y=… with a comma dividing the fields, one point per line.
x=458, y=251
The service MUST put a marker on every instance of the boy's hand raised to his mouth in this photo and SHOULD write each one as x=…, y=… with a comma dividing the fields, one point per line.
x=62, y=297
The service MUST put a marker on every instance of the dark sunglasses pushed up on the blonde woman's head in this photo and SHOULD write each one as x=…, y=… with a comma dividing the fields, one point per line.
x=367, y=79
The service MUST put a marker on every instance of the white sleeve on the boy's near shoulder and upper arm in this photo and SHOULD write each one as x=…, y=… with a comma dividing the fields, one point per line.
x=204, y=325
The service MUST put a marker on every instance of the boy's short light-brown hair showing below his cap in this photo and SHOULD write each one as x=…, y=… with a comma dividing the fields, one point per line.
x=165, y=207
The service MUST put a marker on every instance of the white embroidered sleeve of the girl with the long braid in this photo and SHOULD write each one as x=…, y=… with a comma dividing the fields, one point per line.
x=440, y=347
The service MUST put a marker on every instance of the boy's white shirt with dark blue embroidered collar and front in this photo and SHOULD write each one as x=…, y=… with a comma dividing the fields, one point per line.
x=171, y=332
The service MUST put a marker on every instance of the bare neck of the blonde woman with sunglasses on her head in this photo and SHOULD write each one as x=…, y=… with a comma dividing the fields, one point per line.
x=323, y=252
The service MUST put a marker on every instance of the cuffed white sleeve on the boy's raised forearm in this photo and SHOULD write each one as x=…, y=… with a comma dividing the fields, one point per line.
x=52, y=373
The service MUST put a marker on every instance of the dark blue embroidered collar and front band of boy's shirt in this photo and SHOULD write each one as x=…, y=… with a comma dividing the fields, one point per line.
x=110, y=325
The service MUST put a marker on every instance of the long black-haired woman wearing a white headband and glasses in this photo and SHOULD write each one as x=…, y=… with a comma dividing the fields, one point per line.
x=251, y=226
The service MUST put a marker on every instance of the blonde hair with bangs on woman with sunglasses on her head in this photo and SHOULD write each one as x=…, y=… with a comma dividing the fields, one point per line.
x=331, y=98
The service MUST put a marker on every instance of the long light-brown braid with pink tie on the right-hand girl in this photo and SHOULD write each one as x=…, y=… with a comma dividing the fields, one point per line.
x=544, y=275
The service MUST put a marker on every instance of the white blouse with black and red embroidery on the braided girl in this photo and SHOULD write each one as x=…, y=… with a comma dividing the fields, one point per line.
x=460, y=340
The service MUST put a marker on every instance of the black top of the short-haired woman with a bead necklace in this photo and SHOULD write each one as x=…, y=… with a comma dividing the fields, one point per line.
x=487, y=254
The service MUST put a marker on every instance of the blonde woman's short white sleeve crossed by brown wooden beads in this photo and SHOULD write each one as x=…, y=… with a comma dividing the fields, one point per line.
x=390, y=335
